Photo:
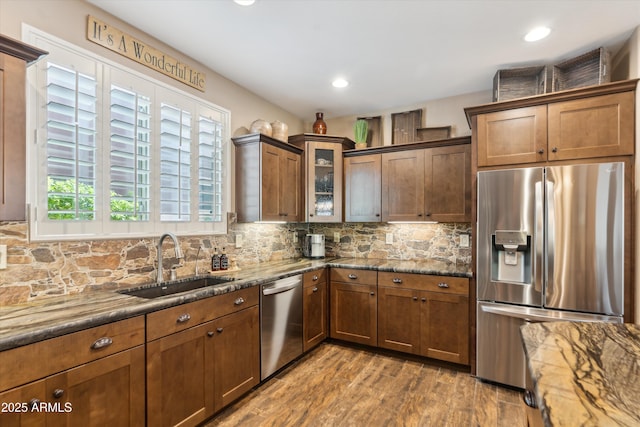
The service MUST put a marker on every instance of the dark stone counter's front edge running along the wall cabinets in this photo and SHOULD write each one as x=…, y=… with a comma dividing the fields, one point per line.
x=131, y=306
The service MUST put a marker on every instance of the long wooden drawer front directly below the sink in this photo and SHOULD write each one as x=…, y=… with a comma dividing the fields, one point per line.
x=168, y=321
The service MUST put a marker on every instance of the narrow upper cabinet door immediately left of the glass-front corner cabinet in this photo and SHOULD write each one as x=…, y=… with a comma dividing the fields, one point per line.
x=290, y=193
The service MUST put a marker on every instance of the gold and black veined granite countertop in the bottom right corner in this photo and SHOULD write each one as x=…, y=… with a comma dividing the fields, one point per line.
x=585, y=373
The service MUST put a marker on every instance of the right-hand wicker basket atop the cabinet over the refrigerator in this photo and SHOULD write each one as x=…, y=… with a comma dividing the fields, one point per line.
x=591, y=68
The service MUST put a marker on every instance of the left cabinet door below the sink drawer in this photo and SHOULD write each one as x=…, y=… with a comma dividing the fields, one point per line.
x=180, y=382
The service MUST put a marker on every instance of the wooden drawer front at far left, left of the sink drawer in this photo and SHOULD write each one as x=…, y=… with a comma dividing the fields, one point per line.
x=31, y=362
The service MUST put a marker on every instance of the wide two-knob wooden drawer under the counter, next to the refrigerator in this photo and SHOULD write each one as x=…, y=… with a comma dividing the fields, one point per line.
x=424, y=282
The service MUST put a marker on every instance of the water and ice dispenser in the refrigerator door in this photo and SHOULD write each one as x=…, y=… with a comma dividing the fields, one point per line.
x=511, y=256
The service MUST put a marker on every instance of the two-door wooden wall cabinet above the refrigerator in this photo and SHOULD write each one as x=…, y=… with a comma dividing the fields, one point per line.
x=597, y=121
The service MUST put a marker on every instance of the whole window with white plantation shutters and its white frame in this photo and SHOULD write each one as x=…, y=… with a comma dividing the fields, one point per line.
x=118, y=154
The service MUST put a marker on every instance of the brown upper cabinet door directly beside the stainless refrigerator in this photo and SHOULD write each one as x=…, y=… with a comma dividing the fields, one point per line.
x=448, y=183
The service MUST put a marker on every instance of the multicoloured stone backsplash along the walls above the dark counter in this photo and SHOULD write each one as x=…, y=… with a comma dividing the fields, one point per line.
x=39, y=269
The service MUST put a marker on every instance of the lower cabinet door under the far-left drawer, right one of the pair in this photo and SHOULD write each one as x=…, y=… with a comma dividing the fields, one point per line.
x=108, y=391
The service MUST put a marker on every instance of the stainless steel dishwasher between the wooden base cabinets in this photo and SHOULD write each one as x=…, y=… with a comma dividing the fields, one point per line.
x=280, y=323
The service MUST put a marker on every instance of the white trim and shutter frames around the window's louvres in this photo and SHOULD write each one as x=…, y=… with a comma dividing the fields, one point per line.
x=42, y=230
